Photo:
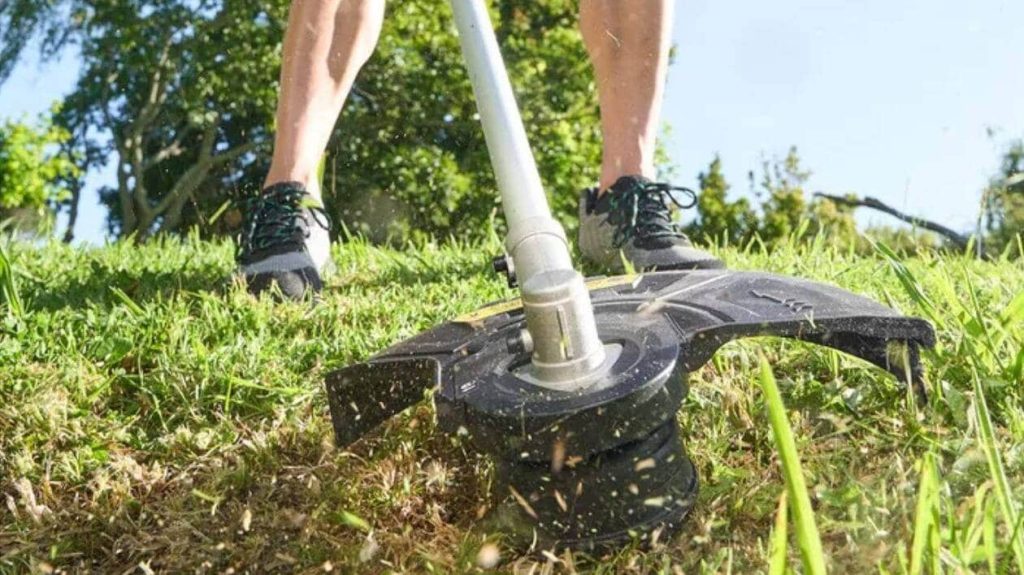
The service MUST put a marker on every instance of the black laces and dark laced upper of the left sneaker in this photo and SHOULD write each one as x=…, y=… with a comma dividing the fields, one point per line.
x=273, y=218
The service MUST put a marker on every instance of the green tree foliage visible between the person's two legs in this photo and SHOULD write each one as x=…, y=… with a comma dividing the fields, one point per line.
x=409, y=157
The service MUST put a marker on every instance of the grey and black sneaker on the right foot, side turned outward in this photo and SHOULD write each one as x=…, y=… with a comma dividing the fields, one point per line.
x=634, y=220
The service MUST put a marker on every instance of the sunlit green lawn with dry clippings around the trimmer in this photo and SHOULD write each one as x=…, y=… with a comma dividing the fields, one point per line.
x=156, y=419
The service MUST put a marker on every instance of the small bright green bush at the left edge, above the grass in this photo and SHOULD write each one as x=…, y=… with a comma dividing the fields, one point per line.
x=34, y=165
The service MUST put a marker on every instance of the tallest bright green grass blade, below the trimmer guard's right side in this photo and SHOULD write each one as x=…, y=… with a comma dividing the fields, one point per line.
x=807, y=530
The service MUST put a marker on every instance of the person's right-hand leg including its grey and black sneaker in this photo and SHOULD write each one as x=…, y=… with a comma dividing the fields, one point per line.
x=629, y=216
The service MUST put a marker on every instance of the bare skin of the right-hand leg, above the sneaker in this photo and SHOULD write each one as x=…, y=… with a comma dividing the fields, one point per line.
x=629, y=46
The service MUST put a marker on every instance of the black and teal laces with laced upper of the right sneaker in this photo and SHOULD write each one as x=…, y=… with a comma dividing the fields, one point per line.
x=645, y=211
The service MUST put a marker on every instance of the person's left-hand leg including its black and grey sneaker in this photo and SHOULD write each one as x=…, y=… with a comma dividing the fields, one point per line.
x=285, y=242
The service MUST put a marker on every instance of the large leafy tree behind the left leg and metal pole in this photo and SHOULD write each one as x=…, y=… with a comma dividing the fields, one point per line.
x=186, y=92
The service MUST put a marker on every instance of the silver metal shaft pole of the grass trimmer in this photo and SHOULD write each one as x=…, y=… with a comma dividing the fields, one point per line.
x=567, y=351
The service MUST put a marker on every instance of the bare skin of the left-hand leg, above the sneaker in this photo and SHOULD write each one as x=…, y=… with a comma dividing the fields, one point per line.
x=327, y=43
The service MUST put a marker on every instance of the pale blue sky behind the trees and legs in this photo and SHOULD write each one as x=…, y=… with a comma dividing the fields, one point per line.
x=889, y=99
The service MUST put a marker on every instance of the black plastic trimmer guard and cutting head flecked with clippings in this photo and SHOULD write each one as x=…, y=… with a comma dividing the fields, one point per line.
x=598, y=467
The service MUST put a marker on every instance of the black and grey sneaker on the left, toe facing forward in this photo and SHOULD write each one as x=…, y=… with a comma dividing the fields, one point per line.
x=284, y=242
